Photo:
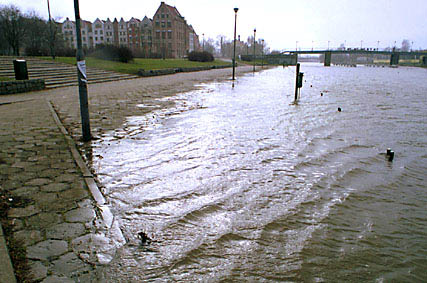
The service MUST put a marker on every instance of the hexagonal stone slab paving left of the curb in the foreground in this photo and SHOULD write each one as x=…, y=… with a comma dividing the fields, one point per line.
x=60, y=225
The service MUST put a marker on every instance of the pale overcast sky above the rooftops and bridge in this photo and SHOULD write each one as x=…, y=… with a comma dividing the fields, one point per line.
x=280, y=22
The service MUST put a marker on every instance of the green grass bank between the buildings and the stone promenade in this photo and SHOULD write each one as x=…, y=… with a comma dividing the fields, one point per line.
x=138, y=63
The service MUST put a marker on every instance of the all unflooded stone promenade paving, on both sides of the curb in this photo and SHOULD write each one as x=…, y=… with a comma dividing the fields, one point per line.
x=61, y=226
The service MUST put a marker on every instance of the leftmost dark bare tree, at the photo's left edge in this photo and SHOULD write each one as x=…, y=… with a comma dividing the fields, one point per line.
x=12, y=24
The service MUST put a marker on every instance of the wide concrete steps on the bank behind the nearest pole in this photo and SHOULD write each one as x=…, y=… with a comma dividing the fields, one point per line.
x=58, y=74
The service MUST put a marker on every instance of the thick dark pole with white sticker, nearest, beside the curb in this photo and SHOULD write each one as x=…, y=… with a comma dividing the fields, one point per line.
x=81, y=75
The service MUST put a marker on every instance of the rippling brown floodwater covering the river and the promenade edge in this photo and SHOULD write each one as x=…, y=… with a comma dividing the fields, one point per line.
x=241, y=185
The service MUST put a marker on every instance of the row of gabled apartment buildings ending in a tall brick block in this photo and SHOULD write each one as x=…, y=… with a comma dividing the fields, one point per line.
x=167, y=34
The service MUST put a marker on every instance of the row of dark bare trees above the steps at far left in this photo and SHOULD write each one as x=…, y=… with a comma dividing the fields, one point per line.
x=27, y=32
